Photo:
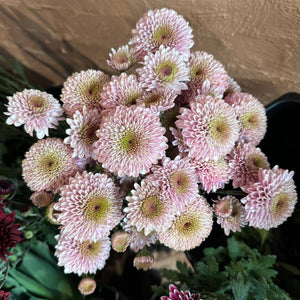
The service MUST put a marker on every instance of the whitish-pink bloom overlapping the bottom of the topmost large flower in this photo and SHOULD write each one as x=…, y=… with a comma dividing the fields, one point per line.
x=165, y=68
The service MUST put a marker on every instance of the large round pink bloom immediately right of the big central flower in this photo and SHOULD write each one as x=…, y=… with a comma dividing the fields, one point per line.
x=209, y=128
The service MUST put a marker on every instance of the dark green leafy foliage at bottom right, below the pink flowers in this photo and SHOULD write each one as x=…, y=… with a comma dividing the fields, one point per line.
x=236, y=272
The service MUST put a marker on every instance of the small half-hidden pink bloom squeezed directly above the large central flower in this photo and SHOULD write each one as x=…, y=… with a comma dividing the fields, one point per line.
x=157, y=100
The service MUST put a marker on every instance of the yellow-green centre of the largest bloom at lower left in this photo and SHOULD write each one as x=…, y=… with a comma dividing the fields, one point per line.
x=96, y=208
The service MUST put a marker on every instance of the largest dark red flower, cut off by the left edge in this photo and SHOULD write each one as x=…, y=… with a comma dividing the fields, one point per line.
x=9, y=233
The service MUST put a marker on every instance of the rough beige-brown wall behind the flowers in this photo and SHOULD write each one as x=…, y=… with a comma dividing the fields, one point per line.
x=258, y=41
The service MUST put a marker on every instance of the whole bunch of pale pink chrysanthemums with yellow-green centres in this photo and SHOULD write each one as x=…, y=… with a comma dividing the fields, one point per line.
x=143, y=150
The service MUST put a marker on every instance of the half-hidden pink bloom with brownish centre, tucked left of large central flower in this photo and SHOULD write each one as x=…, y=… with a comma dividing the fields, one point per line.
x=82, y=132
